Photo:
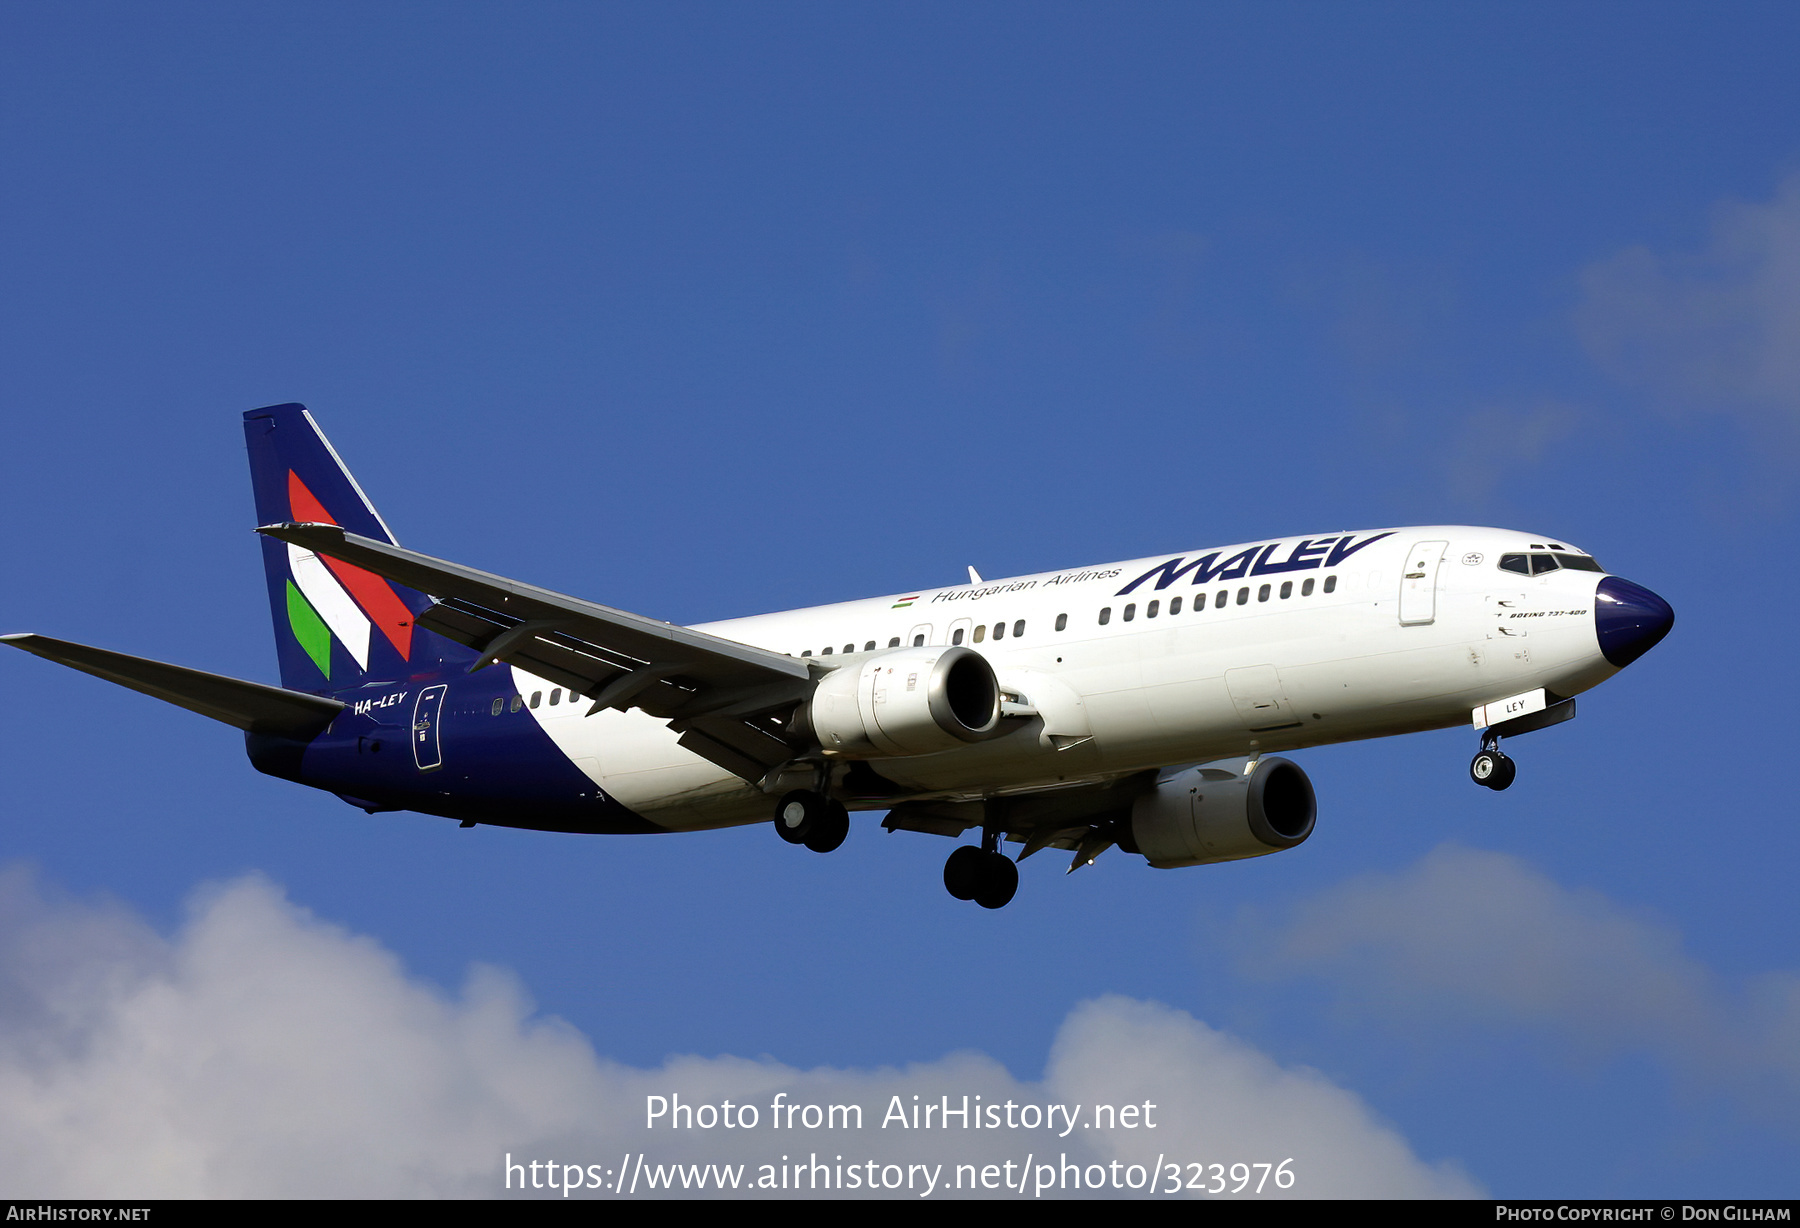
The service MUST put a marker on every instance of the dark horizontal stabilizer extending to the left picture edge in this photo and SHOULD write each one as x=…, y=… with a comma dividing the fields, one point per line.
x=249, y=707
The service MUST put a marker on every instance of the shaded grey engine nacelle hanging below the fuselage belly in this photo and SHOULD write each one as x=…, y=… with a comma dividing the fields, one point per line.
x=1221, y=815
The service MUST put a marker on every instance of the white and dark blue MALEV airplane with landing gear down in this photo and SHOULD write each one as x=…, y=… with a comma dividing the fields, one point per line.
x=1142, y=705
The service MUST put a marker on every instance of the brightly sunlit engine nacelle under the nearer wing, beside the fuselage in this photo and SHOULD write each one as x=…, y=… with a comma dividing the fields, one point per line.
x=904, y=701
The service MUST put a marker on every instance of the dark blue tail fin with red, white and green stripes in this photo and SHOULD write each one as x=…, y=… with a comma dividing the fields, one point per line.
x=336, y=626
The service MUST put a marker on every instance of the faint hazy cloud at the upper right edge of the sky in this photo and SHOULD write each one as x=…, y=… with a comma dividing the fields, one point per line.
x=1713, y=330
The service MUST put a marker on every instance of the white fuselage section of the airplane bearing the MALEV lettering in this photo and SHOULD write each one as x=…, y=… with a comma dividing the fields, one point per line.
x=1376, y=633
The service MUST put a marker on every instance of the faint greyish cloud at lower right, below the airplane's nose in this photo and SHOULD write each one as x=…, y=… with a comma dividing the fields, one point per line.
x=1486, y=939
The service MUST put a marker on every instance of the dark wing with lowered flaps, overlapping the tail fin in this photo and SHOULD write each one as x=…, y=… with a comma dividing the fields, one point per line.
x=724, y=698
